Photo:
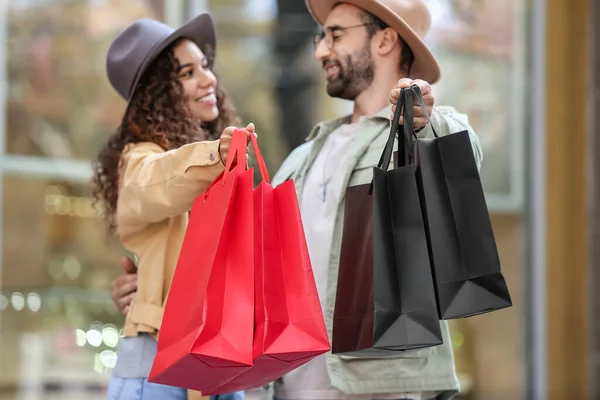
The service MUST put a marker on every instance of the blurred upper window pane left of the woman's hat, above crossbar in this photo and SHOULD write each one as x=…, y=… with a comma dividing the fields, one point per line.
x=60, y=103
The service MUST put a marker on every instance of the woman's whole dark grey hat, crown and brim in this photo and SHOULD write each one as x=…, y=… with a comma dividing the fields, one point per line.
x=134, y=49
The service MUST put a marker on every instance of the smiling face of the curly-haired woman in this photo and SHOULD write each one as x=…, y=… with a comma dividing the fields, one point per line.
x=199, y=83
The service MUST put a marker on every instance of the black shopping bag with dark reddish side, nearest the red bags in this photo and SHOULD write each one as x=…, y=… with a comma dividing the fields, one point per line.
x=385, y=300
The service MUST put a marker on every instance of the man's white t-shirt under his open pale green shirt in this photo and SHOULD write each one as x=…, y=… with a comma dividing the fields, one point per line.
x=318, y=207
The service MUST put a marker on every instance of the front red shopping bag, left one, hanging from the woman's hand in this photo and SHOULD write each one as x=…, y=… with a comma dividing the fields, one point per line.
x=206, y=334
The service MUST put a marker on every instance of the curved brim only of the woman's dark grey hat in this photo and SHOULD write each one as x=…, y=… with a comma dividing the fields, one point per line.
x=199, y=30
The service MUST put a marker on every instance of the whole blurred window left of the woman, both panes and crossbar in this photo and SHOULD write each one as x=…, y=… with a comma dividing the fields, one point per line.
x=58, y=326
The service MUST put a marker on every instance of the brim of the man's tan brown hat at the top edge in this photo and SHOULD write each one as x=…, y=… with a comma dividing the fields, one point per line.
x=425, y=65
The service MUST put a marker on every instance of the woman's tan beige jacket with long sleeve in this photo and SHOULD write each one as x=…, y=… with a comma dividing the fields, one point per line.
x=156, y=191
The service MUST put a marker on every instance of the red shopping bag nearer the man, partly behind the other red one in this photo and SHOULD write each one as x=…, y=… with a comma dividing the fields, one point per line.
x=289, y=325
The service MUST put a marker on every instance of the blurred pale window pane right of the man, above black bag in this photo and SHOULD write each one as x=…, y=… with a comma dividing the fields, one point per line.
x=484, y=42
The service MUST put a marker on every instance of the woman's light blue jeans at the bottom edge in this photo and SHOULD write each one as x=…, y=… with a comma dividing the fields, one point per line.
x=141, y=389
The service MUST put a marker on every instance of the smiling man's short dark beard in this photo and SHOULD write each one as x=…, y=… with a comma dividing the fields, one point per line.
x=355, y=76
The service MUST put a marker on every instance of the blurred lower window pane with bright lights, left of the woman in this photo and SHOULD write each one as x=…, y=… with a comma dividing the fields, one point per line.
x=58, y=326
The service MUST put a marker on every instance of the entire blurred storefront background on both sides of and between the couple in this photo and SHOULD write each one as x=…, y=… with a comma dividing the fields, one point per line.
x=58, y=327
